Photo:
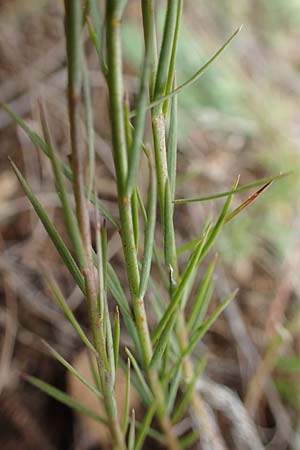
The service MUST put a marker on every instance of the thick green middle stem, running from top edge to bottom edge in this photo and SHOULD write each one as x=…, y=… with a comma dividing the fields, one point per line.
x=115, y=87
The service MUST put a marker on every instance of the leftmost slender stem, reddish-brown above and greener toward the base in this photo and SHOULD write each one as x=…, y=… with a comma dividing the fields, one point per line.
x=74, y=51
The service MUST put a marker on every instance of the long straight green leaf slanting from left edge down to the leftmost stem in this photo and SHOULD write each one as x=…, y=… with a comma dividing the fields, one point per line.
x=51, y=230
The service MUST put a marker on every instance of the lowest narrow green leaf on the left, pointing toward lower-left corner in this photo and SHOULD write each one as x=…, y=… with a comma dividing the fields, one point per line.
x=64, y=398
